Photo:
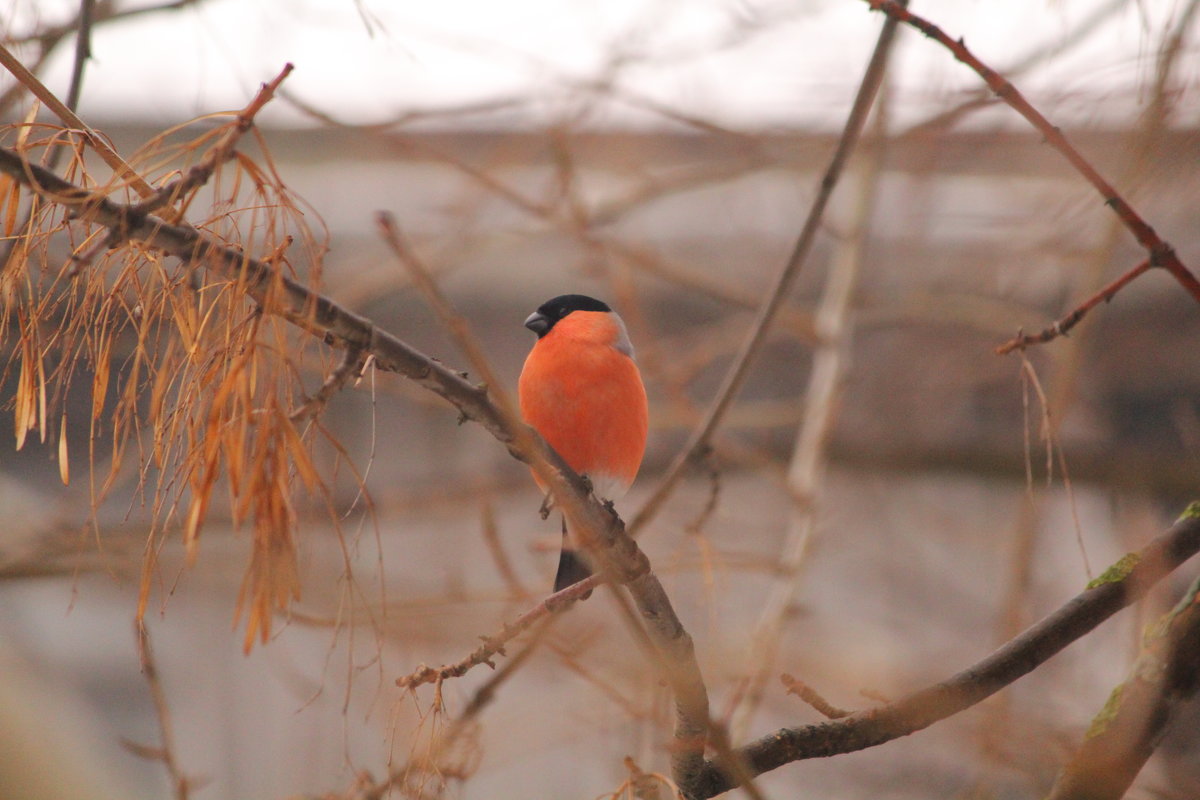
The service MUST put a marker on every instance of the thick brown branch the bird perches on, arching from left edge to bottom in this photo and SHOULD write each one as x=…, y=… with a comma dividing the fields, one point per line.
x=278, y=294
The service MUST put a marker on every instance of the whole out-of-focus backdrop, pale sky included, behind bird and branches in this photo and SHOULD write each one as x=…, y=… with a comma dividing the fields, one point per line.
x=887, y=502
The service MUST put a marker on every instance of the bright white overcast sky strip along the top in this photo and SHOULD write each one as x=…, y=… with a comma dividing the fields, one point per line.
x=742, y=63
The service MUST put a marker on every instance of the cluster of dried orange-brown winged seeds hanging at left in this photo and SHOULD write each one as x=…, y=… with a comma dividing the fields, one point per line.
x=189, y=383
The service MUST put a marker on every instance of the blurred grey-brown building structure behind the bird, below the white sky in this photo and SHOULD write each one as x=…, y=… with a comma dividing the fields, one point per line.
x=927, y=546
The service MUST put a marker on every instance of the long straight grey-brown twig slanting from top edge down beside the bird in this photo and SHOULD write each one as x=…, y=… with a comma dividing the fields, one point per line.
x=698, y=443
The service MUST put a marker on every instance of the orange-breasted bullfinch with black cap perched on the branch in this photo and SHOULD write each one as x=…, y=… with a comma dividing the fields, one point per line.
x=581, y=390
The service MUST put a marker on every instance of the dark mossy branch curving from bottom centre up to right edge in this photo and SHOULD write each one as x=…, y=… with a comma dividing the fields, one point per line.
x=1121, y=586
